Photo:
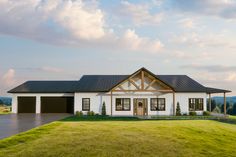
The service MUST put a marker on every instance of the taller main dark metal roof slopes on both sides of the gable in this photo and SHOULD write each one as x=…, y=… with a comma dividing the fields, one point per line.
x=103, y=83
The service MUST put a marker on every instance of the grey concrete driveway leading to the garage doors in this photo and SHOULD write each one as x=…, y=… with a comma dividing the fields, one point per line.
x=12, y=124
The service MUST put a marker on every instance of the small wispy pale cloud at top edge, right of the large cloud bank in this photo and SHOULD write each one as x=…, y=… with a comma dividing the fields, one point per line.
x=140, y=14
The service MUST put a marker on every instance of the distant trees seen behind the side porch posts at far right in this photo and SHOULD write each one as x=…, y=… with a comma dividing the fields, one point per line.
x=219, y=108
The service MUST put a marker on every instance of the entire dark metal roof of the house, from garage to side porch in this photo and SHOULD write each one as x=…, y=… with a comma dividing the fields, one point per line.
x=104, y=83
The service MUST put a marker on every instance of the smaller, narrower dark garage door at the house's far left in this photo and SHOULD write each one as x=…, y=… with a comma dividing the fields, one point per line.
x=26, y=104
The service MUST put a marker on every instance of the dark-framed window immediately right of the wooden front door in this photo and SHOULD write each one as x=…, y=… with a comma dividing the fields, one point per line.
x=158, y=104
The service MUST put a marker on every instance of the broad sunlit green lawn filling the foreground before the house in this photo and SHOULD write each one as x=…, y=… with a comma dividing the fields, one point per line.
x=125, y=138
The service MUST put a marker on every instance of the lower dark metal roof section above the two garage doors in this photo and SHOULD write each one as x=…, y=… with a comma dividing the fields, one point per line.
x=45, y=87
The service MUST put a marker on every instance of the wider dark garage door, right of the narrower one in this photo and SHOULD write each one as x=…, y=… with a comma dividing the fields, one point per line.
x=57, y=104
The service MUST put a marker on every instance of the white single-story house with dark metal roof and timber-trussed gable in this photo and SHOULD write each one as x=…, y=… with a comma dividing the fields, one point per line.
x=141, y=93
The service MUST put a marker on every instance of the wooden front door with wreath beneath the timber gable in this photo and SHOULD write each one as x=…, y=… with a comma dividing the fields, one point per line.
x=140, y=107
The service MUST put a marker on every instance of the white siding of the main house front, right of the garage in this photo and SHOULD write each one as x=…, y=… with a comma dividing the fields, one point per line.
x=97, y=99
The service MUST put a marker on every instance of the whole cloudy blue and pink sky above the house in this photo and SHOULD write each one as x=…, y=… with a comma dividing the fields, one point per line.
x=65, y=39
